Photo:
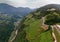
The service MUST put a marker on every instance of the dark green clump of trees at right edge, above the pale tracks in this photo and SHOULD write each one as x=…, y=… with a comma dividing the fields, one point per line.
x=52, y=19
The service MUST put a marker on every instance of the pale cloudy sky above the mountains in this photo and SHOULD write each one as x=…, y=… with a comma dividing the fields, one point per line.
x=30, y=3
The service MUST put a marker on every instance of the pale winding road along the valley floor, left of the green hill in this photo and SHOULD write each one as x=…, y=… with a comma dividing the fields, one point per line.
x=15, y=32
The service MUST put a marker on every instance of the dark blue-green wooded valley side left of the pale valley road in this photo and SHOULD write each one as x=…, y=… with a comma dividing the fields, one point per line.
x=7, y=26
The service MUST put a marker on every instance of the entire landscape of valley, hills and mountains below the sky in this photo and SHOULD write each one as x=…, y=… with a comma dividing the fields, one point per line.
x=30, y=25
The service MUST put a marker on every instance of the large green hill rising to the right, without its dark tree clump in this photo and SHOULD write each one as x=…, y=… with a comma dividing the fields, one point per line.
x=32, y=30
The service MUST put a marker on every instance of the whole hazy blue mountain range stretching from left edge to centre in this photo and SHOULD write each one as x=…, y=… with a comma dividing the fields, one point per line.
x=8, y=9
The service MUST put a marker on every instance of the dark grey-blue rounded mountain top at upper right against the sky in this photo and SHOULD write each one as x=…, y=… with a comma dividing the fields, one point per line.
x=49, y=6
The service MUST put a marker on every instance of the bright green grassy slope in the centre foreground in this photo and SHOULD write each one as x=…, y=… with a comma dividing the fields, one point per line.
x=36, y=34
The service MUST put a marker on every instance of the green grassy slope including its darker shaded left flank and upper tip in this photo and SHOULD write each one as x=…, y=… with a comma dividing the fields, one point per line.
x=33, y=31
